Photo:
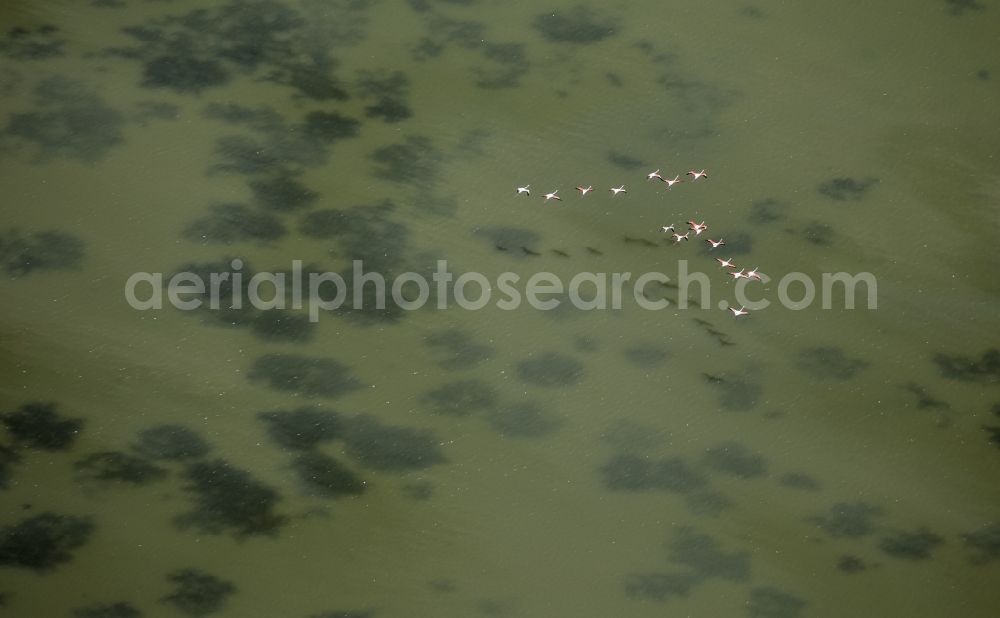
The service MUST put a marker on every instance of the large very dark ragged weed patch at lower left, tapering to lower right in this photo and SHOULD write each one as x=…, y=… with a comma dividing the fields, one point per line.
x=229, y=500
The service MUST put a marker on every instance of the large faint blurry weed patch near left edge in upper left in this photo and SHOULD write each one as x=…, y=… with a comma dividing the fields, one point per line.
x=68, y=120
